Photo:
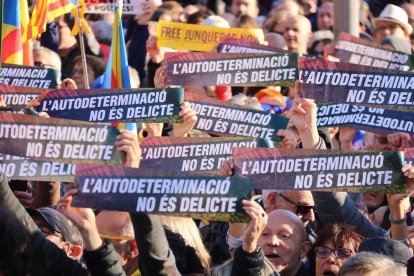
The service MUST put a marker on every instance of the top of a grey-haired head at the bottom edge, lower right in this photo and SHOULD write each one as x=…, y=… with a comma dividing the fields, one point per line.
x=368, y=262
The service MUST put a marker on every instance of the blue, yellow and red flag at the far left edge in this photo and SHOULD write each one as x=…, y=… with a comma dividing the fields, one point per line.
x=15, y=21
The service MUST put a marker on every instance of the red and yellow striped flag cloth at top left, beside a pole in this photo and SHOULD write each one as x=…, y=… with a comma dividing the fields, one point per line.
x=44, y=12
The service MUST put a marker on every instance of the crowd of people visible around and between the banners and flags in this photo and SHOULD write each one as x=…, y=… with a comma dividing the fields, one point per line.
x=289, y=233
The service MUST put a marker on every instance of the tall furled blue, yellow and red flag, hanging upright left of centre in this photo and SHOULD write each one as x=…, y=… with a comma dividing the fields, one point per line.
x=117, y=73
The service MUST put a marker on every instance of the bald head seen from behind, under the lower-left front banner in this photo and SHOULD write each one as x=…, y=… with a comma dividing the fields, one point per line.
x=116, y=224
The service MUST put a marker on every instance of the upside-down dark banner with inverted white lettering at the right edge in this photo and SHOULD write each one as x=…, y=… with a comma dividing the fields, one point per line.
x=371, y=119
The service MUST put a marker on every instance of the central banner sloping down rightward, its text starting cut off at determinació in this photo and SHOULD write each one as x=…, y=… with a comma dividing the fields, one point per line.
x=226, y=119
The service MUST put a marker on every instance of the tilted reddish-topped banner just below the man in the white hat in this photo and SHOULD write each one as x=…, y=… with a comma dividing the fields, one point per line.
x=351, y=49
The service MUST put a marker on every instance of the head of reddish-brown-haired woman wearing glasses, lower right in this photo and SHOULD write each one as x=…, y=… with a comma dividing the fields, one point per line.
x=333, y=247
